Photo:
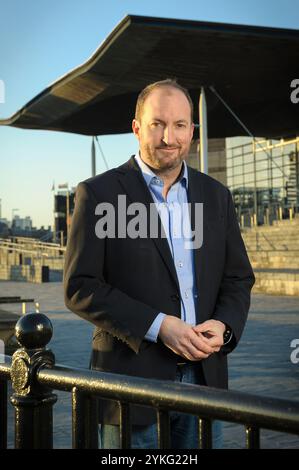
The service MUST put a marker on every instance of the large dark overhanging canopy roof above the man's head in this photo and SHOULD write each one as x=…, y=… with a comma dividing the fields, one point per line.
x=250, y=67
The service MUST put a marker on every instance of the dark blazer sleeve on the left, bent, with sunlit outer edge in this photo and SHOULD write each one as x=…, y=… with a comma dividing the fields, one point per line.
x=86, y=292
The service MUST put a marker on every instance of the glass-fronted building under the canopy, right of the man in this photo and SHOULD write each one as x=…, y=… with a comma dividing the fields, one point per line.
x=262, y=175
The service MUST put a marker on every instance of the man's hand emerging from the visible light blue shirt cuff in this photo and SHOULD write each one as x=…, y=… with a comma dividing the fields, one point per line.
x=182, y=339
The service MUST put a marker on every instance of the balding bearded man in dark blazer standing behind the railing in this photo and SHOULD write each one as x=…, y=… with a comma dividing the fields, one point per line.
x=161, y=309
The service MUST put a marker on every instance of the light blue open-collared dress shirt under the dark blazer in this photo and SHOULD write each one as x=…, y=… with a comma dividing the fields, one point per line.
x=176, y=223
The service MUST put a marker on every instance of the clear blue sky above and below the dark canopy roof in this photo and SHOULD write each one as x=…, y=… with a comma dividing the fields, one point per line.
x=41, y=40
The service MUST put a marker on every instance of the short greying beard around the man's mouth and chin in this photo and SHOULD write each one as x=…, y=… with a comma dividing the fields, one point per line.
x=161, y=159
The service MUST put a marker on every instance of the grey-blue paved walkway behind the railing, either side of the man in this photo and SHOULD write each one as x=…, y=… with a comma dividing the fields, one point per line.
x=260, y=365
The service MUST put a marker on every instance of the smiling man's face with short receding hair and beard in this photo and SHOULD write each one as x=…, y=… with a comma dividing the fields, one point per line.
x=165, y=129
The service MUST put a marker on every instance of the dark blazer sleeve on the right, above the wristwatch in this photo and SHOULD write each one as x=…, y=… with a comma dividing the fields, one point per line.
x=233, y=300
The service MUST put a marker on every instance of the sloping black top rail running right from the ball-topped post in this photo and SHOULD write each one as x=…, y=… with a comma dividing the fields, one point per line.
x=237, y=407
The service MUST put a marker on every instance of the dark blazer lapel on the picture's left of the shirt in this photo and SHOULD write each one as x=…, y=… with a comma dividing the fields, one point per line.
x=137, y=191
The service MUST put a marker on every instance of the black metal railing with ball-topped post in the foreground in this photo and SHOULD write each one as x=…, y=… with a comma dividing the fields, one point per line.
x=34, y=376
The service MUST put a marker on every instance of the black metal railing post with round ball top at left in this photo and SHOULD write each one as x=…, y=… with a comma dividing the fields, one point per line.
x=33, y=402
